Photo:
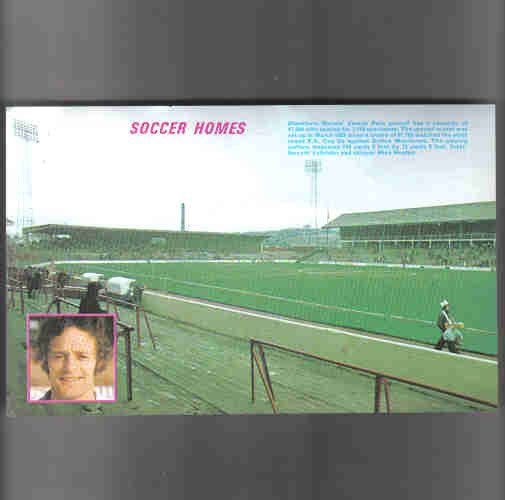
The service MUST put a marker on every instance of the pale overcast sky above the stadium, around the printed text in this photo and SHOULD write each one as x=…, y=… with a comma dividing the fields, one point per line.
x=88, y=169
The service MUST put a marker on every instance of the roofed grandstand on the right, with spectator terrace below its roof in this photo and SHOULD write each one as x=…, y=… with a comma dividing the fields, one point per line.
x=463, y=234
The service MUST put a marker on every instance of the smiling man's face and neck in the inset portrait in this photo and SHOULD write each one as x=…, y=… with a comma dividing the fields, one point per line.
x=72, y=363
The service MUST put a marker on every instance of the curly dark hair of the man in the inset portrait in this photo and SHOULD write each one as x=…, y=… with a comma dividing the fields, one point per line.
x=100, y=327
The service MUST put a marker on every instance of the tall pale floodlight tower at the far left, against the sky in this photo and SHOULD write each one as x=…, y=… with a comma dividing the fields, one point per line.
x=28, y=133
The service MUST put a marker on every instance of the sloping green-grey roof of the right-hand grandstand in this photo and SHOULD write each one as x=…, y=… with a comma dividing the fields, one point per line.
x=469, y=212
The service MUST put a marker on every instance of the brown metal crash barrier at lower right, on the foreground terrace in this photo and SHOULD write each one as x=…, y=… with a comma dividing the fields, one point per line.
x=382, y=380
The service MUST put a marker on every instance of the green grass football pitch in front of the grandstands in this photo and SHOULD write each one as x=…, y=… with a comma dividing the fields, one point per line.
x=399, y=302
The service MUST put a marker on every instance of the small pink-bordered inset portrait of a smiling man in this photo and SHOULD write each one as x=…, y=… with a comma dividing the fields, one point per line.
x=71, y=358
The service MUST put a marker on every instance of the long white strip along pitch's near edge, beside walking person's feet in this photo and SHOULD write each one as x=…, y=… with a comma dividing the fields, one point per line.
x=317, y=327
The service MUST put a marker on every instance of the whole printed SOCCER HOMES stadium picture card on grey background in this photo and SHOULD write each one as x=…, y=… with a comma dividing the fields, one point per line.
x=256, y=259
